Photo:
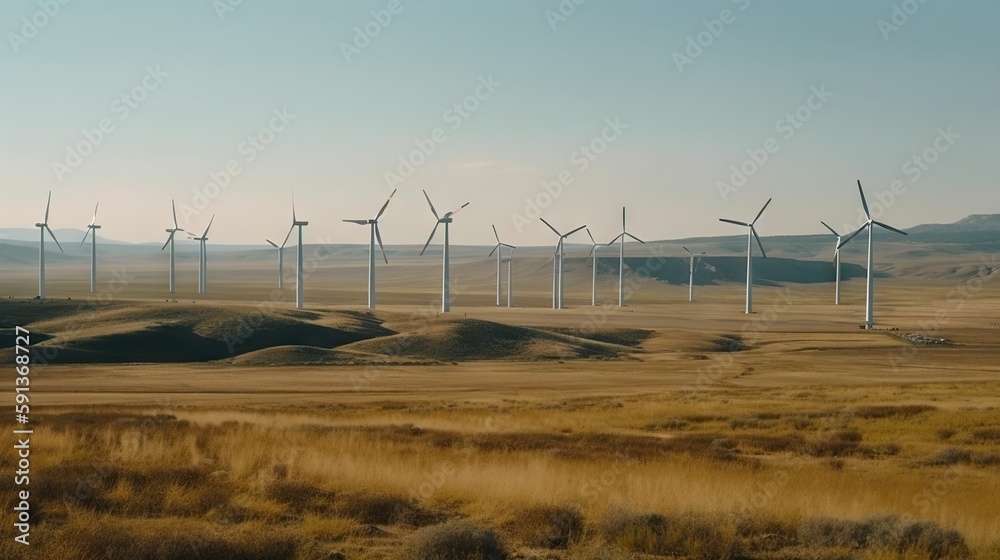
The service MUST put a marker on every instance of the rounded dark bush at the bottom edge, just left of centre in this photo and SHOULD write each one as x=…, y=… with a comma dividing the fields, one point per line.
x=454, y=540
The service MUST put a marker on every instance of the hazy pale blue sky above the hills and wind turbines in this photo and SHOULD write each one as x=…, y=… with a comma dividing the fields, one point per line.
x=683, y=111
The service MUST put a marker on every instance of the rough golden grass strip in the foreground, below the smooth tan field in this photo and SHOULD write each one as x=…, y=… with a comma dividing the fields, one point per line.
x=543, y=474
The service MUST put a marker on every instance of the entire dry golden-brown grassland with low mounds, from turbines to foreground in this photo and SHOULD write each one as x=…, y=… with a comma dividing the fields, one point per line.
x=663, y=429
